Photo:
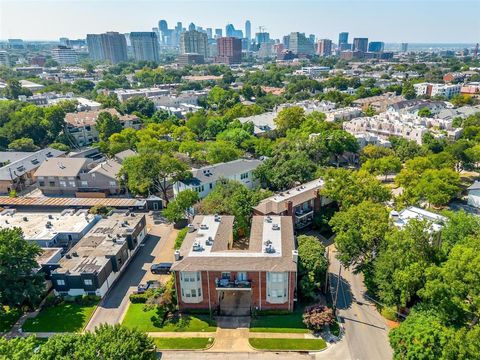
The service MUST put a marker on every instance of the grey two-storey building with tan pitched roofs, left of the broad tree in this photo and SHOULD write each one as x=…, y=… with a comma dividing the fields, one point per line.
x=79, y=177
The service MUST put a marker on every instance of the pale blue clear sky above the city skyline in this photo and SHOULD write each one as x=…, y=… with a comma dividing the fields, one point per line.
x=385, y=20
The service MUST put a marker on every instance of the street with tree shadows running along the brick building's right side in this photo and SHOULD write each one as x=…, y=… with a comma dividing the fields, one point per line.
x=366, y=333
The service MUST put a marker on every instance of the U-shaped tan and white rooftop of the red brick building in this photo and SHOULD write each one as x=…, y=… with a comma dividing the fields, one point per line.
x=208, y=245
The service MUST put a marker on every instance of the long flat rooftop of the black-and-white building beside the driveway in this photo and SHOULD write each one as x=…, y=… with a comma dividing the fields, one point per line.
x=104, y=240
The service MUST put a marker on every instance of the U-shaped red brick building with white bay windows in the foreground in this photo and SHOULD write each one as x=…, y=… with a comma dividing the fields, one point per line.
x=213, y=273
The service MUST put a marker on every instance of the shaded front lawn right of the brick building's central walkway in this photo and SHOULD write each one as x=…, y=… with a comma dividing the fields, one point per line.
x=288, y=323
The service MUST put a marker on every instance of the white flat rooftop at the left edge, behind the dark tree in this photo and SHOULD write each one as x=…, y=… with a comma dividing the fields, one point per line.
x=46, y=225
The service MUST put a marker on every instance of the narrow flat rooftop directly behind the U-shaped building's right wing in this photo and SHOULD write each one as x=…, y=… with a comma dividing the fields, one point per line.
x=276, y=204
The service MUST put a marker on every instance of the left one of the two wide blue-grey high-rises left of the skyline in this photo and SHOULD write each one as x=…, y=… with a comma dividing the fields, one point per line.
x=110, y=46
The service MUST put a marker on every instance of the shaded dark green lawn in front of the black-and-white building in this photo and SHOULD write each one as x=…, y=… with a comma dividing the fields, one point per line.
x=65, y=317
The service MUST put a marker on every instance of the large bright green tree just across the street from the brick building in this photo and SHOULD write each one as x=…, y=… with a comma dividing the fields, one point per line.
x=399, y=269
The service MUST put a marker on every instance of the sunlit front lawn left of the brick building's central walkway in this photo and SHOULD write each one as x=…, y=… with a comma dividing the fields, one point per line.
x=149, y=321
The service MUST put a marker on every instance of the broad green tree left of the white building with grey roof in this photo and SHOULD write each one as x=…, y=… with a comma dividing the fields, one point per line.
x=149, y=173
